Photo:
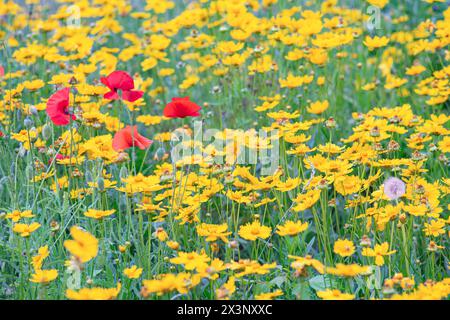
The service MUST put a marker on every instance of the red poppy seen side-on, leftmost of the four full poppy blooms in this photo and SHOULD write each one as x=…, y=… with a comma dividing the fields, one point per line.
x=57, y=107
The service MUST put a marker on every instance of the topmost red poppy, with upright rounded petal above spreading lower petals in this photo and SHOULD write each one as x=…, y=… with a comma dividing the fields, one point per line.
x=120, y=80
